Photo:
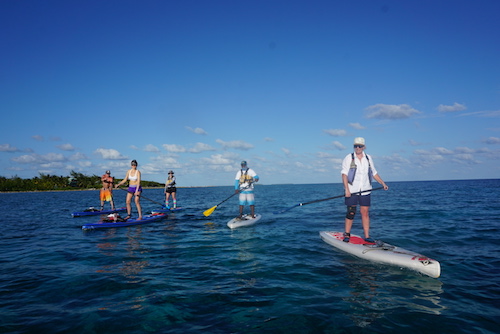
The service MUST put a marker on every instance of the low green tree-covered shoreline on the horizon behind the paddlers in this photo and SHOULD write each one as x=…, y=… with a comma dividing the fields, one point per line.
x=45, y=182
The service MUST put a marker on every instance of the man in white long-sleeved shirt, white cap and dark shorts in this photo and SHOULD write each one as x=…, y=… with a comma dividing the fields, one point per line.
x=357, y=172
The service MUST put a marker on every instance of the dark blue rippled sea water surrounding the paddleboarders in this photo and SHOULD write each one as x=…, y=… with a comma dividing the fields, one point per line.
x=191, y=273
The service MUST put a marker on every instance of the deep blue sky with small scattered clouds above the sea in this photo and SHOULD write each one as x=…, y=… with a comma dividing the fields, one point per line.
x=198, y=86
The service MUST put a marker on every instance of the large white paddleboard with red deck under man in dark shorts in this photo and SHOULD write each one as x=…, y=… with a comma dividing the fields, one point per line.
x=382, y=252
